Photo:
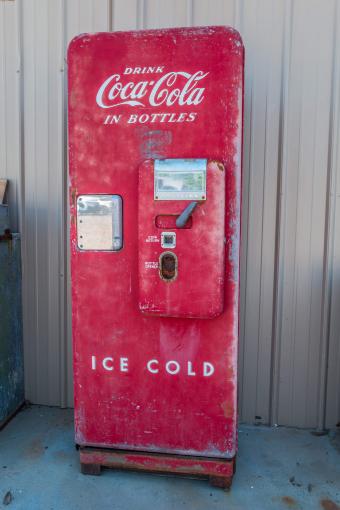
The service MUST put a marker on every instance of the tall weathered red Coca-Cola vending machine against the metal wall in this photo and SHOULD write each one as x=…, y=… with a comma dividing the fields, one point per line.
x=155, y=139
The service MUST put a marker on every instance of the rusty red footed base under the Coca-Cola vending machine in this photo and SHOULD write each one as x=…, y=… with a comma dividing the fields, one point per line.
x=218, y=471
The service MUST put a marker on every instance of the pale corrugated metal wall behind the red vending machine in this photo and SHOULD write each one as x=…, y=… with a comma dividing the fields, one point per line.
x=289, y=352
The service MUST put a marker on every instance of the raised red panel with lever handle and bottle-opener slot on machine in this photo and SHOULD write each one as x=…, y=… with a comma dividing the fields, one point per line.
x=181, y=272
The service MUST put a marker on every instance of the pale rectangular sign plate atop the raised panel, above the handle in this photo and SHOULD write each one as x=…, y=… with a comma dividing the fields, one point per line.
x=180, y=179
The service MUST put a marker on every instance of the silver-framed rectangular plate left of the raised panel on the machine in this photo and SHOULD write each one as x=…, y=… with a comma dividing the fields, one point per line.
x=99, y=222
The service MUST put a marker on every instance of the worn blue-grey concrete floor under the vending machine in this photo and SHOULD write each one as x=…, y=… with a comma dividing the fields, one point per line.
x=277, y=469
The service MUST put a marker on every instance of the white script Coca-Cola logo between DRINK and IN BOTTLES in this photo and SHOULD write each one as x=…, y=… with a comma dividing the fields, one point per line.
x=173, y=88
